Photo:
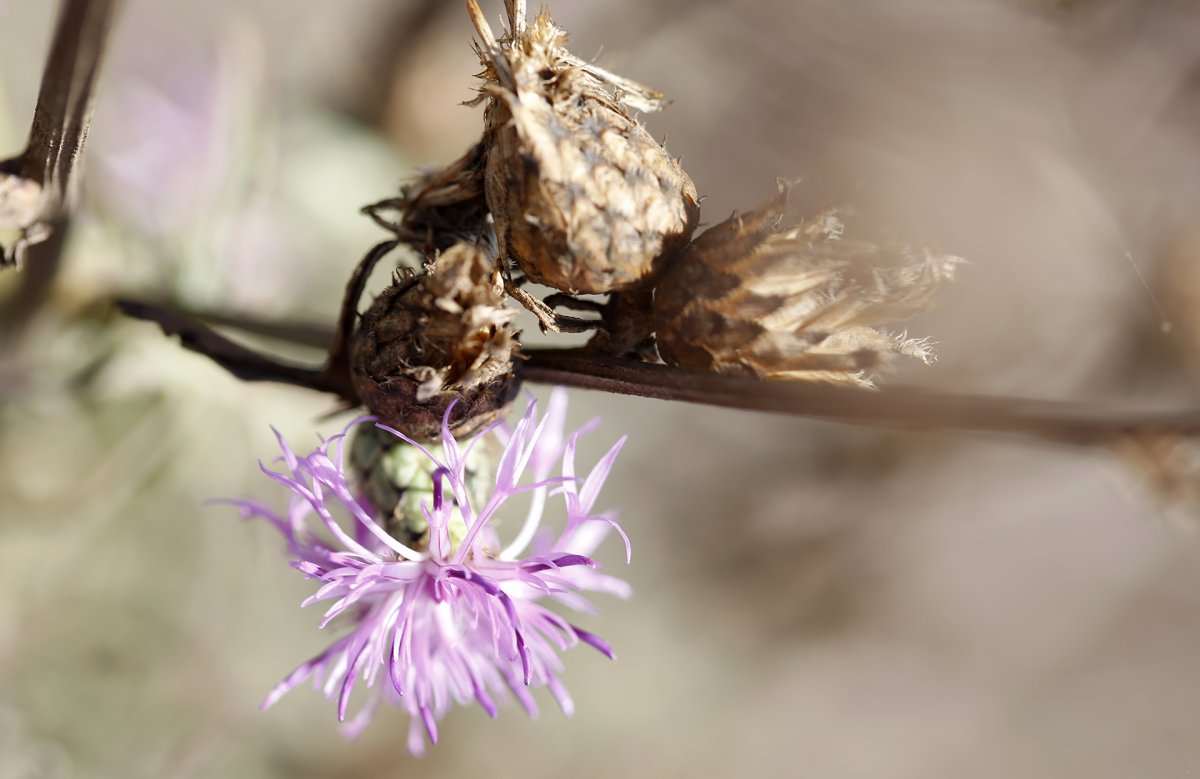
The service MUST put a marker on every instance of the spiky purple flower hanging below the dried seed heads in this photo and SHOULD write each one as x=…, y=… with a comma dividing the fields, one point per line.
x=448, y=621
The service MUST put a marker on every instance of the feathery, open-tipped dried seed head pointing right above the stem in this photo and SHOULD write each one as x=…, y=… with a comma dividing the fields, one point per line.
x=754, y=296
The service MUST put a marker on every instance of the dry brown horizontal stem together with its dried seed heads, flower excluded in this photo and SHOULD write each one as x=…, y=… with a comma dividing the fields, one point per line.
x=567, y=188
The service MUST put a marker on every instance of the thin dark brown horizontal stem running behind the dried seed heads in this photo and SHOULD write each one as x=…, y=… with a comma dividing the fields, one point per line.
x=904, y=409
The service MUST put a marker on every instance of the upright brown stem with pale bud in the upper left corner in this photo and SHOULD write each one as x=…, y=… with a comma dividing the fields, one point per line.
x=59, y=131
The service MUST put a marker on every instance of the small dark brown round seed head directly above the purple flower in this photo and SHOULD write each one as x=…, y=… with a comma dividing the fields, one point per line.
x=441, y=337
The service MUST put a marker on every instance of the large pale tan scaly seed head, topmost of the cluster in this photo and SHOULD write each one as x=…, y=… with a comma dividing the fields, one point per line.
x=583, y=197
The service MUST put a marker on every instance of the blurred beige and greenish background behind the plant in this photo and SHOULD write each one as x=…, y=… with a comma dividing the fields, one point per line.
x=811, y=600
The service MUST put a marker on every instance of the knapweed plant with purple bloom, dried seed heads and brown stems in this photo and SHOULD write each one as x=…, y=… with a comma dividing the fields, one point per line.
x=409, y=522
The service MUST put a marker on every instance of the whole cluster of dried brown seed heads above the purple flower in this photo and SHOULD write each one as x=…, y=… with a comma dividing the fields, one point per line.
x=567, y=187
